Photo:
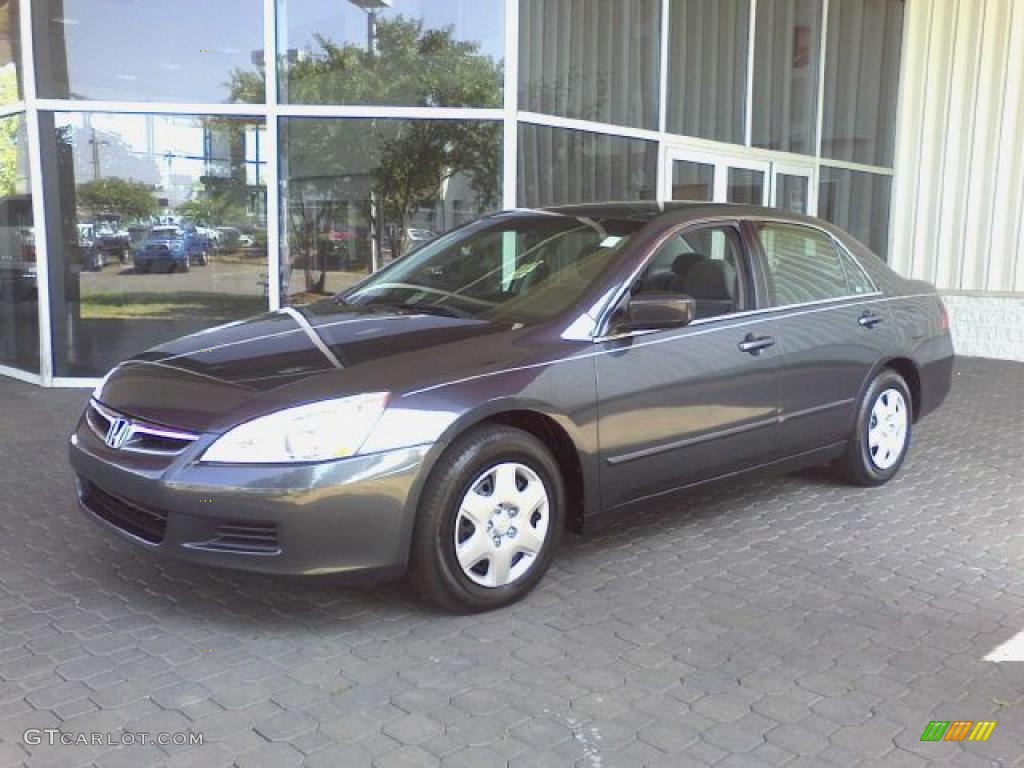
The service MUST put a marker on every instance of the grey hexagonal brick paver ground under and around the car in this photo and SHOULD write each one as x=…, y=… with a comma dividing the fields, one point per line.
x=790, y=622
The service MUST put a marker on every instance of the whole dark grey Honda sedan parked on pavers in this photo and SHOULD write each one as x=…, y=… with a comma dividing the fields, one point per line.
x=451, y=416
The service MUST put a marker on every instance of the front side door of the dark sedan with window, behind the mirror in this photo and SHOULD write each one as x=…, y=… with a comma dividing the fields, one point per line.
x=680, y=406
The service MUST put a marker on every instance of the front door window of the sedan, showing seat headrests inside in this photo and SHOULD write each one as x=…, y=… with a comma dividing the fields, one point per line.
x=706, y=265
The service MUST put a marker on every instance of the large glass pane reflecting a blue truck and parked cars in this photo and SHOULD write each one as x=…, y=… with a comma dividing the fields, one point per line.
x=157, y=229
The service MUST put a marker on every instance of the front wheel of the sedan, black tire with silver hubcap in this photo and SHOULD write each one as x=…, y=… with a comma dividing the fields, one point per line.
x=483, y=463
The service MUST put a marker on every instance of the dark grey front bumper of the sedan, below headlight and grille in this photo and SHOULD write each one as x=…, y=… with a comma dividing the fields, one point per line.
x=354, y=516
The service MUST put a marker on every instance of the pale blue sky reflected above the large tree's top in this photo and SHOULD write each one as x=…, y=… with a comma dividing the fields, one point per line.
x=339, y=21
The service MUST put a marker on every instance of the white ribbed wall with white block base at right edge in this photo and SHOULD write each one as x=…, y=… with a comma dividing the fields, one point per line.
x=959, y=188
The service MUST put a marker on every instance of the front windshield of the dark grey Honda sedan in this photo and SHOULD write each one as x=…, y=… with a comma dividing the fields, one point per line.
x=526, y=269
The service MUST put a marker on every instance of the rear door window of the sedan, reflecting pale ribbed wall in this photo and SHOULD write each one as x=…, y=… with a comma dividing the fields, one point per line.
x=804, y=266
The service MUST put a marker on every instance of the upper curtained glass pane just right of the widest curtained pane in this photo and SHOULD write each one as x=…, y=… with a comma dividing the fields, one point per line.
x=708, y=47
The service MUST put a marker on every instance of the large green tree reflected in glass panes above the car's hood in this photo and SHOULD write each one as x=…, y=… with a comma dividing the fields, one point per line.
x=404, y=166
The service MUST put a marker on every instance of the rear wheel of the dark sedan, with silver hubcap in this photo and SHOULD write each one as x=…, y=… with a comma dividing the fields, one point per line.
x=882, y=435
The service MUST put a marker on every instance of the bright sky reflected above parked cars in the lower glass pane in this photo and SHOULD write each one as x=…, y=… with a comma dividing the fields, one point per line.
x=164, y=151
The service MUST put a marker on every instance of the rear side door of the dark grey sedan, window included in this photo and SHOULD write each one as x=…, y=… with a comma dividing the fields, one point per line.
x=833, y=329
